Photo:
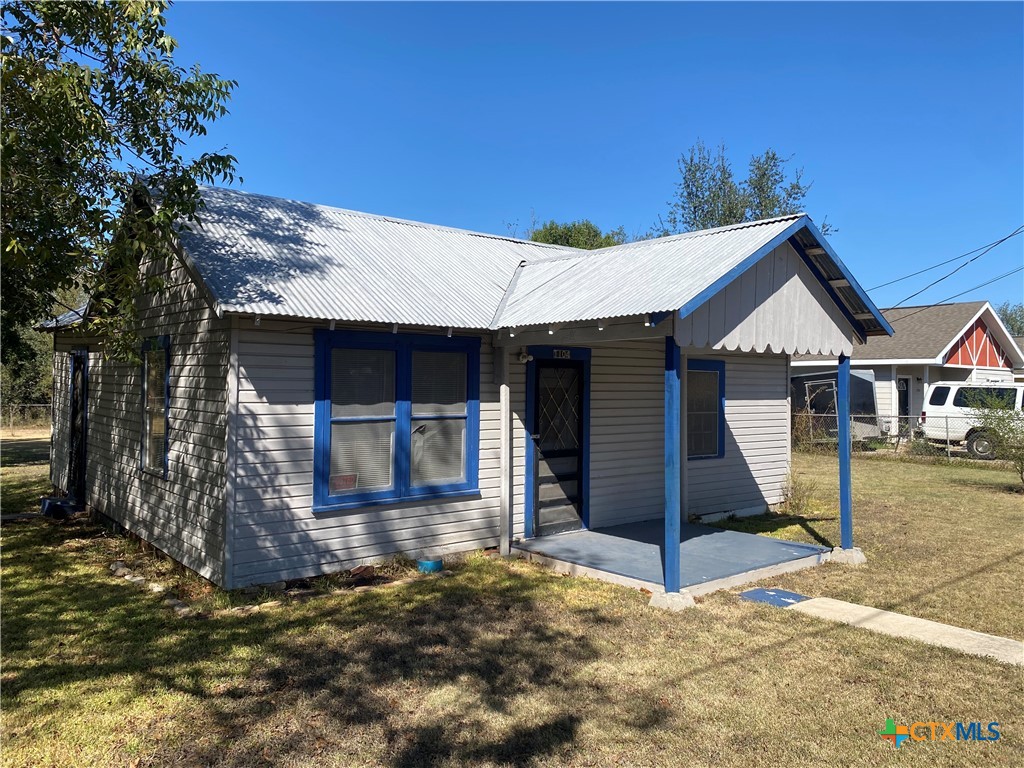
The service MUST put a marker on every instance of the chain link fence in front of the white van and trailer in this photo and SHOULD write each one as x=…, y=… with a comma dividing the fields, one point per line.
x=953, y=437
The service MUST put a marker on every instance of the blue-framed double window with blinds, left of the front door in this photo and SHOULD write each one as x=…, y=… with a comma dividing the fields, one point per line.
x=398, y=418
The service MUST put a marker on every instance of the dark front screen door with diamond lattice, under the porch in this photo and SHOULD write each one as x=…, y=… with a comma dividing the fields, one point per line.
x=560, y=445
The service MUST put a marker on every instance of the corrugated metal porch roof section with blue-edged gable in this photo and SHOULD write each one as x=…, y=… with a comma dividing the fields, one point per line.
x=669, y=275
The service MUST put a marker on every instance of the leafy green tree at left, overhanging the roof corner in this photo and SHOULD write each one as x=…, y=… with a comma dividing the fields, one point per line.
x=93, y=104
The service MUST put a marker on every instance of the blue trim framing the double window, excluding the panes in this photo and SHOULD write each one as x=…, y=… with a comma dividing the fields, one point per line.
x=402, y=490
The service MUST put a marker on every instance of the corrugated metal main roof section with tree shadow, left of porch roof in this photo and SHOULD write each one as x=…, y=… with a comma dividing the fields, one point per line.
x=270, y=257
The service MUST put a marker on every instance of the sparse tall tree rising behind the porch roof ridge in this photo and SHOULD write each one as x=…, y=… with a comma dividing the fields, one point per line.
x=708, y=194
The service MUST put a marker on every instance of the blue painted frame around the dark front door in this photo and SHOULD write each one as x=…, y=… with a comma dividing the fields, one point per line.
x=577, y=355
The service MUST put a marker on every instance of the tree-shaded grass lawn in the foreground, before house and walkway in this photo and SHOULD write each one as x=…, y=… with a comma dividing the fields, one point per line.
x=502, y=664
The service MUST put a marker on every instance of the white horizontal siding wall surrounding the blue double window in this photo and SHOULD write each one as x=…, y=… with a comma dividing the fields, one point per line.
x=276, y=535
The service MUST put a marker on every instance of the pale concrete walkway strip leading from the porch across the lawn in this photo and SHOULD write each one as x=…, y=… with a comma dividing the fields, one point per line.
x=898, y=625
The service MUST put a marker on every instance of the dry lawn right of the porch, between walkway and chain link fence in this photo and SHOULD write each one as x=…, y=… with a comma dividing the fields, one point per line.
x=944, y=542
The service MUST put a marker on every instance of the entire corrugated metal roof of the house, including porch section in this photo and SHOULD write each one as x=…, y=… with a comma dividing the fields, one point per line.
x=269, y=257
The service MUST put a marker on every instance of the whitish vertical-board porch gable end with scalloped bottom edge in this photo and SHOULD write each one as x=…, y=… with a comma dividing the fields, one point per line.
x=778, y=306
